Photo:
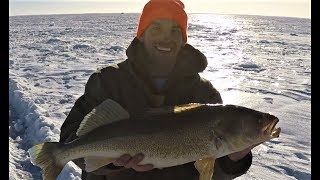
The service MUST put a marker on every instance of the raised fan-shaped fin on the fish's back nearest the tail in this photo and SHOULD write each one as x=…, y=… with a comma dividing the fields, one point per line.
x=105, y=113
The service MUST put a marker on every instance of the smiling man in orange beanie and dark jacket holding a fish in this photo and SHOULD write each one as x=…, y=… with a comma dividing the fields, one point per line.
x=161, y=70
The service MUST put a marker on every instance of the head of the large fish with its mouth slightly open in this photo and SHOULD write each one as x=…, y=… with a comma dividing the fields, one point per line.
x=242, y=127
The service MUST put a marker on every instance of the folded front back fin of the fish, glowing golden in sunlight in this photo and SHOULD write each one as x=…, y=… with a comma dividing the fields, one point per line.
x=174, y=109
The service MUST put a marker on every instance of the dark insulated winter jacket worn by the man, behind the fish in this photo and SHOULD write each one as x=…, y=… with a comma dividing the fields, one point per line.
x=129, y=84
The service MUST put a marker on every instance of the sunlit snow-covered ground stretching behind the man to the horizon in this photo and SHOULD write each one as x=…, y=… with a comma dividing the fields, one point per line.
x=254, y=61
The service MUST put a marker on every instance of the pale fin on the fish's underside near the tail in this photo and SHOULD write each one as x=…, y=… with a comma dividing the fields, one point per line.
x=95, y=162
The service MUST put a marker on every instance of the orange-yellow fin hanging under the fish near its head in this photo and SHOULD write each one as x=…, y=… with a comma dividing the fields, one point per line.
x=205, y=168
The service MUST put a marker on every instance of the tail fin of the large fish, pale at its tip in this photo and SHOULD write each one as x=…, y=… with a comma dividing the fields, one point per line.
x=42, y=155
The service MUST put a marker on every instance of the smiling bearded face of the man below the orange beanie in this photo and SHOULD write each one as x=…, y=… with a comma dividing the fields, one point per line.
x=162, y=40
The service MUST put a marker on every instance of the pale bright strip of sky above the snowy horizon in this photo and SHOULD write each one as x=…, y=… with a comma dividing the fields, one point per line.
x=288, y=8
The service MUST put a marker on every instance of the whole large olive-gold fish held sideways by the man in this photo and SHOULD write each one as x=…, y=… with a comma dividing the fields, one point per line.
x=167, y=137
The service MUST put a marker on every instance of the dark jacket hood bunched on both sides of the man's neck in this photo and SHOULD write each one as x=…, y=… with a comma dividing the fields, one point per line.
x=190, y=61
